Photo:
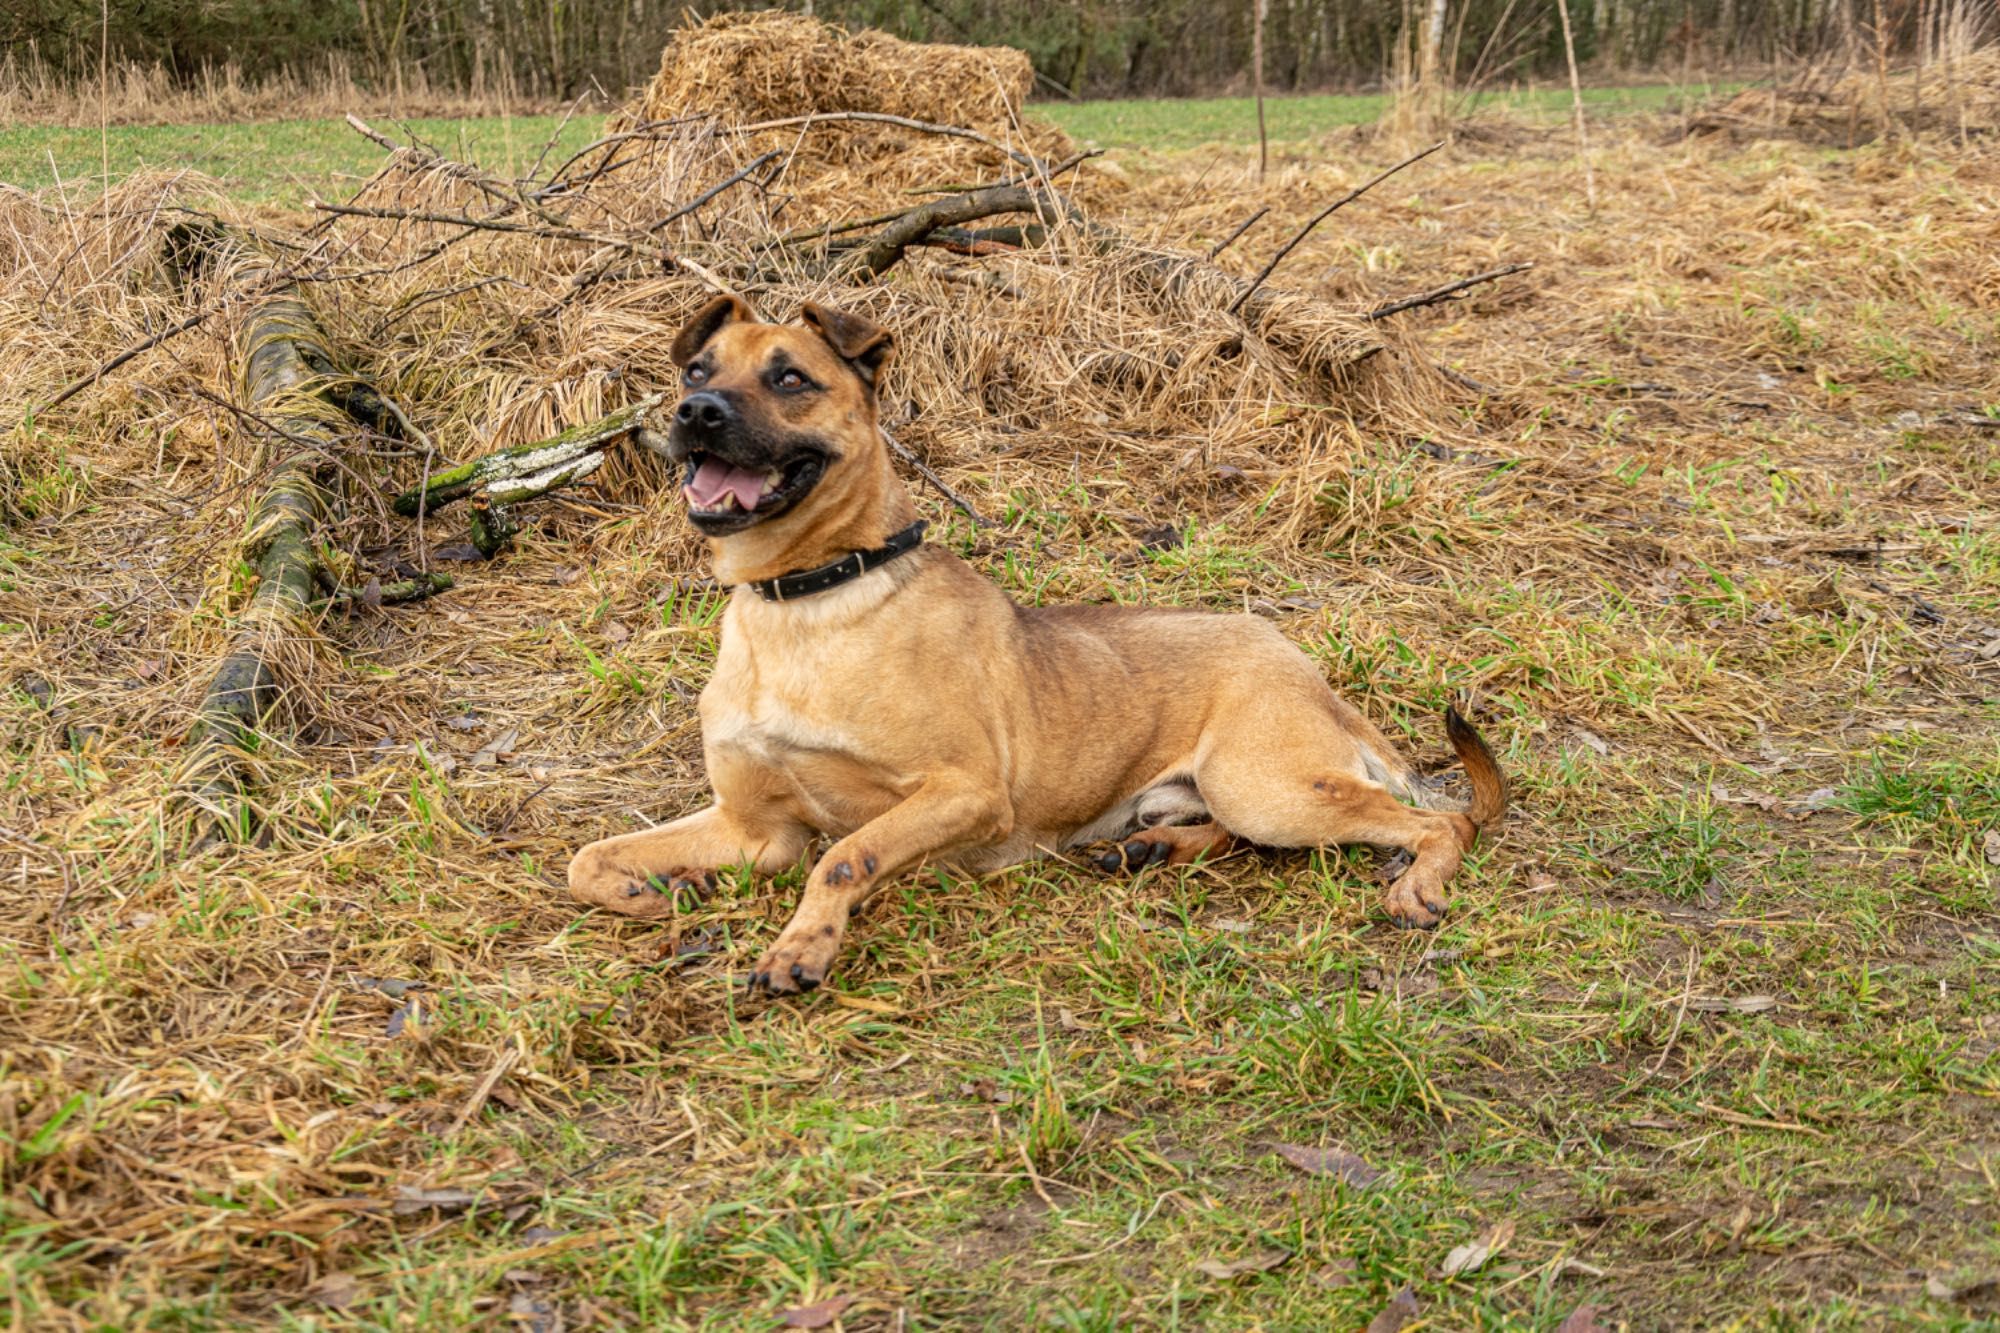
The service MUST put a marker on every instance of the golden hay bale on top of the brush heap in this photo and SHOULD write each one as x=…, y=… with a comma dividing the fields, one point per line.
x=771, y=65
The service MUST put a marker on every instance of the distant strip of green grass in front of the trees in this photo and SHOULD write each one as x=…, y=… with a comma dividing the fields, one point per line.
x=291, y=161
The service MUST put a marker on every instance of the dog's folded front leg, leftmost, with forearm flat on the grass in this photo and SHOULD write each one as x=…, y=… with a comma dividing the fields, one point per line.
x=627, y=874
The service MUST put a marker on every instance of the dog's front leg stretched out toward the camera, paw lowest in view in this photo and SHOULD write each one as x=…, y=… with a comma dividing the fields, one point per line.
x=941, y=816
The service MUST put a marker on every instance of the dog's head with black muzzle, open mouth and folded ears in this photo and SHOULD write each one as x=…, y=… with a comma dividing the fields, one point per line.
x=773, y=413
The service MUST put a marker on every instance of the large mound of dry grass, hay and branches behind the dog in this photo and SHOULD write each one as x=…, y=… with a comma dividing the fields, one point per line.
x=343, y=375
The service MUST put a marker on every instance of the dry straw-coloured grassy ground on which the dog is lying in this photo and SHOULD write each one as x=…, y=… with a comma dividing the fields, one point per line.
x=1699, y=521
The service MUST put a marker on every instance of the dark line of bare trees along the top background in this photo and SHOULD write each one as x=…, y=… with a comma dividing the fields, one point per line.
x=561, y=49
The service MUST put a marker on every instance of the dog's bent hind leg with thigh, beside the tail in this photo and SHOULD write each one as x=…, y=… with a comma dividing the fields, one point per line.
x=1307, y=784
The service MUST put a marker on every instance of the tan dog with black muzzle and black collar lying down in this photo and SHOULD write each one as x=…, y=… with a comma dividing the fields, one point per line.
x=887, y=696
